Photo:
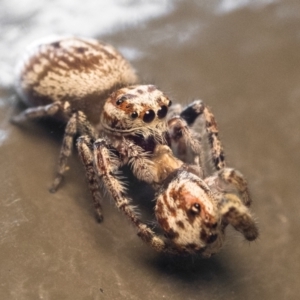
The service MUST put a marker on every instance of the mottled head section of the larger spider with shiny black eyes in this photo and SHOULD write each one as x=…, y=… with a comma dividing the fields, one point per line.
x=136, y=110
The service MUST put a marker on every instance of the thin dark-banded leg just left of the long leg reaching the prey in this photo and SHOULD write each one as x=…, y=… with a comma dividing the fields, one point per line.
x=85, y=150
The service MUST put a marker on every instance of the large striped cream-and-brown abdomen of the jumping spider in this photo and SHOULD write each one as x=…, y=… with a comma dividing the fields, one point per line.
x=81, y=71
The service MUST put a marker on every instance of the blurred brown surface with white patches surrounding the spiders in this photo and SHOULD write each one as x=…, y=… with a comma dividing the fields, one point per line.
x=242, y=57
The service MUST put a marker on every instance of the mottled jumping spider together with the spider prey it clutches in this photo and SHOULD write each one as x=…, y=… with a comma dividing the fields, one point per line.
x=194, y=203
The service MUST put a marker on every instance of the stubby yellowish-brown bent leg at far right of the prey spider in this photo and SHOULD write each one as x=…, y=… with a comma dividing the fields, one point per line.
x=238, y=215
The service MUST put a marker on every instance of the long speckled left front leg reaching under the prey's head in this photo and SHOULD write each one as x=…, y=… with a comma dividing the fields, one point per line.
x=106, y=165
